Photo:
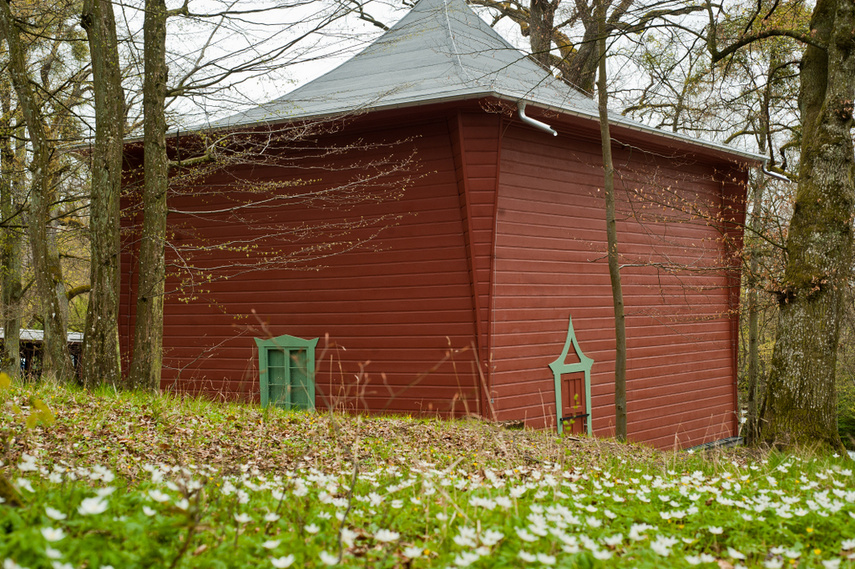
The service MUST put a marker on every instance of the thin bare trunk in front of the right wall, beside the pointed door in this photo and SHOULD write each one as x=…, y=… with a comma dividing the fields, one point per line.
x=611, y=232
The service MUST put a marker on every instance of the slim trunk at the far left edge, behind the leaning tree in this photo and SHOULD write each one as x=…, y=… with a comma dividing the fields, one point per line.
x=10, y=243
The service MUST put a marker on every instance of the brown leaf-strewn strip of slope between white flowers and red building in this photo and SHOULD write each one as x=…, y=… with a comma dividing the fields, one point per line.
x=123, y=431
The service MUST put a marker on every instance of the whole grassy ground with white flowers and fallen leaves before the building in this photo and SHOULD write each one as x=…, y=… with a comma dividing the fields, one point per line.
x=131, y=480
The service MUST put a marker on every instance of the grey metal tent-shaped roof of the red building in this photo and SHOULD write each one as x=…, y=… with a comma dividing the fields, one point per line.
x=440, y=51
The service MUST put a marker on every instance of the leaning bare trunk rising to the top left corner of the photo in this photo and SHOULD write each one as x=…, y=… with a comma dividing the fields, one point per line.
x=56, y=361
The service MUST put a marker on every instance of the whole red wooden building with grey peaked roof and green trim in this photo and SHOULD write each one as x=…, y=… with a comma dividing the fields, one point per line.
x=422, y=248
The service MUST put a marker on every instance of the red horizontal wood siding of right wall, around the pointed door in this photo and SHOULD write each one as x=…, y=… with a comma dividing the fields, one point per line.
x=550, y=264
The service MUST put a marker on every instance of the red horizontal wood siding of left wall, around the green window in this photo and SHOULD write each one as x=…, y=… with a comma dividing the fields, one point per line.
x=380, y=274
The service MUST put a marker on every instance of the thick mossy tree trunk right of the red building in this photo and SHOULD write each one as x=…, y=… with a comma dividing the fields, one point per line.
x=801, y=402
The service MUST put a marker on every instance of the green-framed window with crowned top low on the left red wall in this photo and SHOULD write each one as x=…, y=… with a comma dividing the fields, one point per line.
x=286, y=369
